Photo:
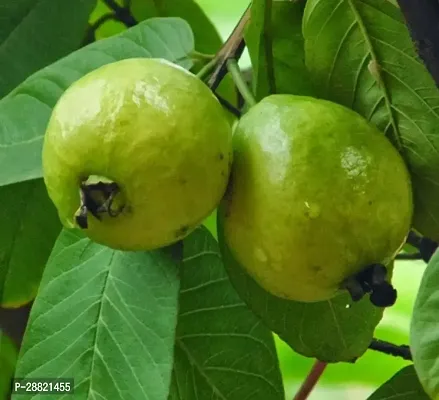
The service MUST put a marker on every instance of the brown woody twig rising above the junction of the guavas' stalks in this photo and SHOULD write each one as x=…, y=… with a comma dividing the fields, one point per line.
x=232, y=49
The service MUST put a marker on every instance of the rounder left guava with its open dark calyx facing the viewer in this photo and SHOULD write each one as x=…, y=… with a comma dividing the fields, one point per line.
x=144, y=146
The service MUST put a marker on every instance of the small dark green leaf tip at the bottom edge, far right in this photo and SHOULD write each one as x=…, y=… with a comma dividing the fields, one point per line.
x=404, y=385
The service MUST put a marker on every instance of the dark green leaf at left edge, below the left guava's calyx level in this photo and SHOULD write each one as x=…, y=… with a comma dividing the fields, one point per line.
x=29, y=226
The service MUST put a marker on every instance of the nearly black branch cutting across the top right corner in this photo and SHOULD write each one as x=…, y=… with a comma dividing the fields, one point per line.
x=422, y=19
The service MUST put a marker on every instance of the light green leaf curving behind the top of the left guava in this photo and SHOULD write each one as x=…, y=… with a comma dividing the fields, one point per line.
x=24, y=113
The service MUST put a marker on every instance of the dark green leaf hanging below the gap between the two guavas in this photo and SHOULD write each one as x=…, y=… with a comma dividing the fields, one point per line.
x=222, y=349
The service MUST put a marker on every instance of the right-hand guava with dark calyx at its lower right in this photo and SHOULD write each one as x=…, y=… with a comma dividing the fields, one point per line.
x=316, y=195
